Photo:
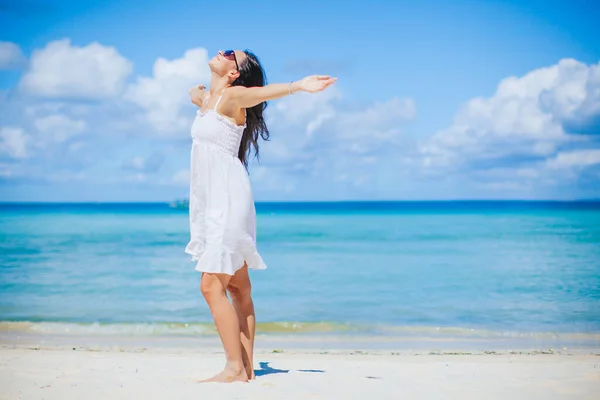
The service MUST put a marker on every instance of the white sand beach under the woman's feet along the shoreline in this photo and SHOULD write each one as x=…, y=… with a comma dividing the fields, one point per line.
x=58, y=371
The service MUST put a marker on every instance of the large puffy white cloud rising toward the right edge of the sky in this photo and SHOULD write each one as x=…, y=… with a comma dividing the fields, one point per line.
x=524, y=118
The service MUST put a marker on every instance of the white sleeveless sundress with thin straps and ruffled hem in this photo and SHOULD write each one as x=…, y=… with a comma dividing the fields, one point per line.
x=221, y=205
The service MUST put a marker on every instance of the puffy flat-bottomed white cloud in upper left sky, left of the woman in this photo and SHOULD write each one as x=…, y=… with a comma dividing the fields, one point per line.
x=61, y=70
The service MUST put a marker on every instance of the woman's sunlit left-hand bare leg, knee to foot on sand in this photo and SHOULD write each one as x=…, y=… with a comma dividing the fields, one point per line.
x=213, y=287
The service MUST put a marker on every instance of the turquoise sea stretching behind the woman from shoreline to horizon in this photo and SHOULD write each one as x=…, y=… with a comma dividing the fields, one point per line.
x=365, y=268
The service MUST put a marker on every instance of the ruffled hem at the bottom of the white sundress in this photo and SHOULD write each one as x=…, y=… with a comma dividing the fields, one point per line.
x=222, y=260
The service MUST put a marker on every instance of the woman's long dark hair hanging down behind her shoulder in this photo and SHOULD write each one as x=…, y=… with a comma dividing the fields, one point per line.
x=252, y=74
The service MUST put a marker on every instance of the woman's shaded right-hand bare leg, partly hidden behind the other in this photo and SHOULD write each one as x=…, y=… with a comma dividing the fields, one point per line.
x=240, y=289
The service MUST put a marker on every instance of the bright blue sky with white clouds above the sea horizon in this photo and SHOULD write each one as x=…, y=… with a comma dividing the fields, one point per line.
x=435, y=99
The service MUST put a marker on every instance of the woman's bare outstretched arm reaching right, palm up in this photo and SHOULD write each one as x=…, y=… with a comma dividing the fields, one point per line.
x=244, y=97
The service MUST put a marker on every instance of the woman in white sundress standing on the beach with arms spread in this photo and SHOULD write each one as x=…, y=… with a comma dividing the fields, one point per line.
x=222, y=214
